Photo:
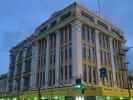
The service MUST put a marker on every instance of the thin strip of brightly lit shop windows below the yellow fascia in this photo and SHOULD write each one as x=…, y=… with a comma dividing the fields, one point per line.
x=72, y=98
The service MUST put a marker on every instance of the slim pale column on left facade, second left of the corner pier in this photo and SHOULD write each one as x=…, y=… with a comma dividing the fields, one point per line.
x=47, y=62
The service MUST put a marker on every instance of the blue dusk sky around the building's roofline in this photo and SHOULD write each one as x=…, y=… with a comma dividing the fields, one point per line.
x=19, y=18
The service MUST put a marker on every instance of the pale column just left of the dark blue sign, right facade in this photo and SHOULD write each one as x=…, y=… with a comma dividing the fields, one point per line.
x=98, y=57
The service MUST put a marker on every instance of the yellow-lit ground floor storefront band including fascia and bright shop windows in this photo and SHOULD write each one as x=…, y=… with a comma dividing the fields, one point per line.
x=70, y=93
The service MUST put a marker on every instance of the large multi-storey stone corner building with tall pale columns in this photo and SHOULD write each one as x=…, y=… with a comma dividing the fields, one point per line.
x=74, y=55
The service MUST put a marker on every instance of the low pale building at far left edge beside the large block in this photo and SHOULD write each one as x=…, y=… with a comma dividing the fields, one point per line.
x=3, y=85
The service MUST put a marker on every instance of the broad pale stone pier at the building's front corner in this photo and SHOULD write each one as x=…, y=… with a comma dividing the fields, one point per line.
x=76, y=49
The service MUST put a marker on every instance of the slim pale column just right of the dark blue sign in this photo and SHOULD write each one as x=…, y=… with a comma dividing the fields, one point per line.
x=112, y=60
